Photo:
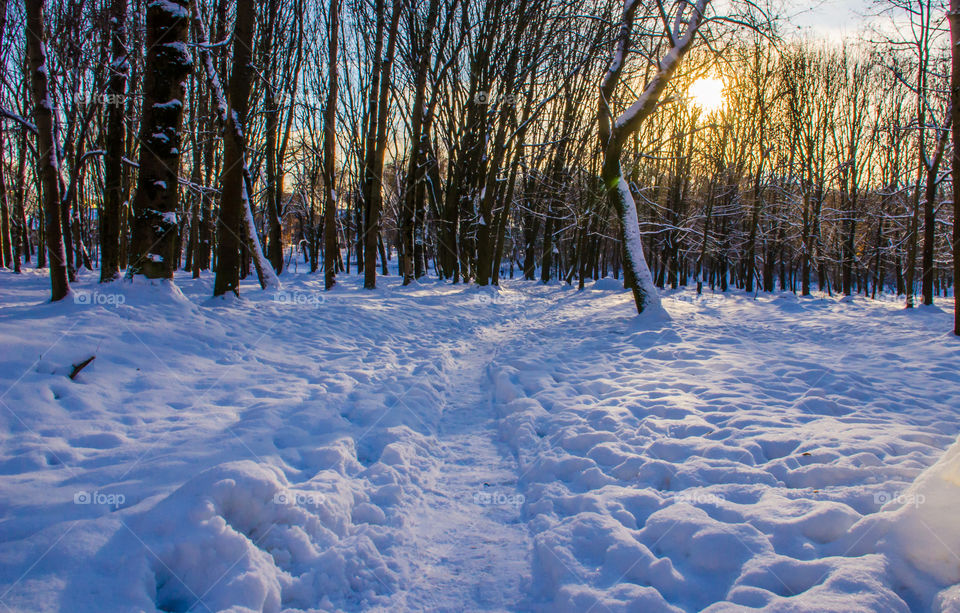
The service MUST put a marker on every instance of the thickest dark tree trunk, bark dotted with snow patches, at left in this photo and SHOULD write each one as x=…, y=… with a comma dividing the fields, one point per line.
x=155, y=244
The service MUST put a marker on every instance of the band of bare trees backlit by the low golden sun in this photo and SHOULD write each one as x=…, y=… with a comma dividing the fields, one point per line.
x=469, y=139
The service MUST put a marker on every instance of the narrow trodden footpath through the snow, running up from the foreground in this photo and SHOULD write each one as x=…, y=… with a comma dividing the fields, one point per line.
x=468, y=543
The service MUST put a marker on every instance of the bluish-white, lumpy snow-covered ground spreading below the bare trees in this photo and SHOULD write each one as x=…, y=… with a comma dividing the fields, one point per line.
x=443, y=447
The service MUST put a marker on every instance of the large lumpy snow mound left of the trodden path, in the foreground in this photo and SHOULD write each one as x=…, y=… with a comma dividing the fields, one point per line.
x=238, y=537
